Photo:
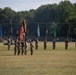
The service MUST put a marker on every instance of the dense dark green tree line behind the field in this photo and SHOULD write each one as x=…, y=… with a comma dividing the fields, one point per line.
x=63, y=14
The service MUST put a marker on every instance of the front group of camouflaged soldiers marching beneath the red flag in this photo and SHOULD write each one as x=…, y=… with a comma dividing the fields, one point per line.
x=21, y=46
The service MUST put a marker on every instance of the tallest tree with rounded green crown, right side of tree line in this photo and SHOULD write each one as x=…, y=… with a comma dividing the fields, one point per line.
x=65, y=14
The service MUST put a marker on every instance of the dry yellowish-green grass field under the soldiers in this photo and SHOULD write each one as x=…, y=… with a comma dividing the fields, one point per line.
x=42, y=62
